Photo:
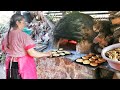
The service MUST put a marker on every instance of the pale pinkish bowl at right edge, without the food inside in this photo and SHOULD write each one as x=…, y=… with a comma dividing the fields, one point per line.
x=114, y=64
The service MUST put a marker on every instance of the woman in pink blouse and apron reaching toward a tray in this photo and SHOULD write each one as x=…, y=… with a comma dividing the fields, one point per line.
x=20, y=53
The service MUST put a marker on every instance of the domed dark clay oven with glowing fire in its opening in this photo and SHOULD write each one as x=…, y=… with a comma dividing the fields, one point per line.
x=73, y=29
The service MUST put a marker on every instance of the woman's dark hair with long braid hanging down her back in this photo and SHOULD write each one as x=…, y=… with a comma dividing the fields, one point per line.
x=13, y=19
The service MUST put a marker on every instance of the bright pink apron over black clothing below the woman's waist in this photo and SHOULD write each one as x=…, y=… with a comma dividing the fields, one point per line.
x=24, y=68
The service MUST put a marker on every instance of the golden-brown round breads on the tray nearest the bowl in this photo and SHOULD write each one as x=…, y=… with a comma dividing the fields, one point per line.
x=91, y=59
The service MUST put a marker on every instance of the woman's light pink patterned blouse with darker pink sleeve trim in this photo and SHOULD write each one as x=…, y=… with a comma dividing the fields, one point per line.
x=19, y=42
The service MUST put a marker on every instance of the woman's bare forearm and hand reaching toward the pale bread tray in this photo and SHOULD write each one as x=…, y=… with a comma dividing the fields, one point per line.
x=37, y=54
